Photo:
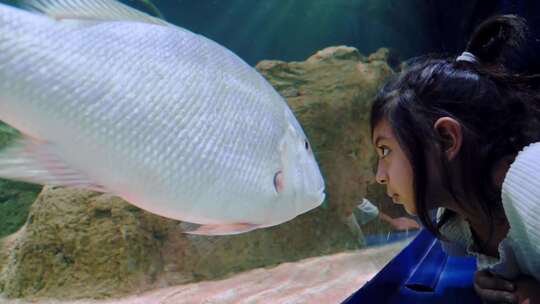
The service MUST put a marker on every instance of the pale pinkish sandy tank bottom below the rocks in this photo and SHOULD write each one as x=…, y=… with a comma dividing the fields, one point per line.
x=325, y=279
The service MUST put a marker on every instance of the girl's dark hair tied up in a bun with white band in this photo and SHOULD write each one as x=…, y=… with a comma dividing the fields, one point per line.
x=497, y=108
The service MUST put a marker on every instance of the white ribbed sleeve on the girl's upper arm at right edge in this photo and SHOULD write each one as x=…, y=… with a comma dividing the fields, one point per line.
x=521, y=201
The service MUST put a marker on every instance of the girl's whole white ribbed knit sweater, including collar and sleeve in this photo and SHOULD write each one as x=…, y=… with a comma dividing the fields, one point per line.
x=519, y=252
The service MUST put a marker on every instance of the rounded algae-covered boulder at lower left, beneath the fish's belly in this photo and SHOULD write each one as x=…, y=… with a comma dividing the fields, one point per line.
x=79, y=242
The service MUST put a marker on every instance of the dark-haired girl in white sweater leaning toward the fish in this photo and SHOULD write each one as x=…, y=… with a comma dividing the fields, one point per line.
x=463, y=135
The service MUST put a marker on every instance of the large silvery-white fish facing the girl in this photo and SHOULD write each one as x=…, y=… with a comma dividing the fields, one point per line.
x=111, y=99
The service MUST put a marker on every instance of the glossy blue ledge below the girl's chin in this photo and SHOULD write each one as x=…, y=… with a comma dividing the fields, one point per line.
x=421, y=273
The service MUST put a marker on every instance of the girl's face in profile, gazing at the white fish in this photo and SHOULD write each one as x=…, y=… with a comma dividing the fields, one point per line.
x=393, y=169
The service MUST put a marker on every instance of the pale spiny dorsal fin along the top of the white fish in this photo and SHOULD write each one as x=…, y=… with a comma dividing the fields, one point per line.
x=90, y=10
